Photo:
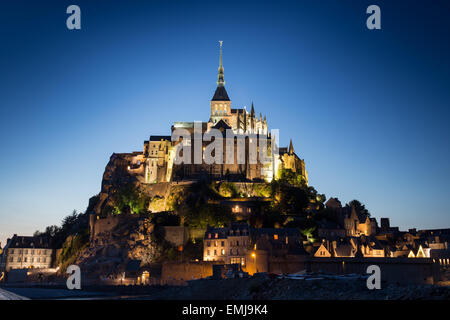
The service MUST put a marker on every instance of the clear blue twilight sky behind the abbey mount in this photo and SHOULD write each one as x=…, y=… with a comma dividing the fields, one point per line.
x=367, y=110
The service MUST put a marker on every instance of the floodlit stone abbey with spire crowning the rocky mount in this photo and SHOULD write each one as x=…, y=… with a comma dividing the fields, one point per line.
x=157, y=162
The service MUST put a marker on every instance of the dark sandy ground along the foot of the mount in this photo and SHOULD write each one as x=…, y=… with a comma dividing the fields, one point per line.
x=256, y=288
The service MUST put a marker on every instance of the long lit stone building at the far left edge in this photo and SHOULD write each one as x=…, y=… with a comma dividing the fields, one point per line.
x=23, y=252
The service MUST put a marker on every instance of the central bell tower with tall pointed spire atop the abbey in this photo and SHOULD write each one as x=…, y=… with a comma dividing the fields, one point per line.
x=220, y=103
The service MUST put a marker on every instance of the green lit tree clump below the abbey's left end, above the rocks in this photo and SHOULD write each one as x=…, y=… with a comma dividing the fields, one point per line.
x=129, y=199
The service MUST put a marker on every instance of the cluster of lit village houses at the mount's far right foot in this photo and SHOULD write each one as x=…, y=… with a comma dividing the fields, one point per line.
x=354, y=234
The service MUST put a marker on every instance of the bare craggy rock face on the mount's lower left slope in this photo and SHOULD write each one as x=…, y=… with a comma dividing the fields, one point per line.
x=129, y=238
